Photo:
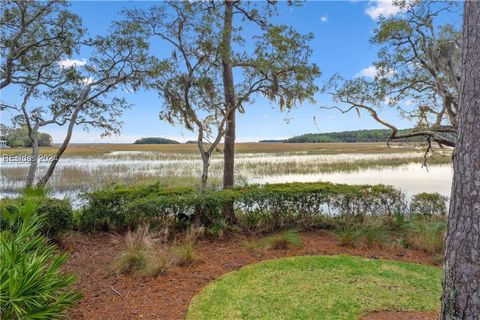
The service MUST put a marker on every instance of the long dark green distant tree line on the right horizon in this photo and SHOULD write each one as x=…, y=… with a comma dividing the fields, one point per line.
x=373, y=135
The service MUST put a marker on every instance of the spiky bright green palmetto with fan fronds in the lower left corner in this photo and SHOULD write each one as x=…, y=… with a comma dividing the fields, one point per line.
x=32, y=284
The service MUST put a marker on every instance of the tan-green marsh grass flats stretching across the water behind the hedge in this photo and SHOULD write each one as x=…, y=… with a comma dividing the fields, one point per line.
x=87, y=166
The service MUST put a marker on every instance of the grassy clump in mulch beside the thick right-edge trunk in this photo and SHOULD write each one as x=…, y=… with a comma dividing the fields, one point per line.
x=428, y=236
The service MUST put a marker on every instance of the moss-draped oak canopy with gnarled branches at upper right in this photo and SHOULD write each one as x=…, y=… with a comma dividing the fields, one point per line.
x=417, y=73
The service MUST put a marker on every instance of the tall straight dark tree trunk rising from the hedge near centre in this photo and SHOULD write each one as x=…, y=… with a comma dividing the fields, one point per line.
x=228, y=87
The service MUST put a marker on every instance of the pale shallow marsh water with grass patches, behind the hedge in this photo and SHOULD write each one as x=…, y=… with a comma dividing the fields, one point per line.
x=403, y=170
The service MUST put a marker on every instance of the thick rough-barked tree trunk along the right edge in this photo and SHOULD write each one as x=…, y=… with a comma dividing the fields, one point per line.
x=461, y=280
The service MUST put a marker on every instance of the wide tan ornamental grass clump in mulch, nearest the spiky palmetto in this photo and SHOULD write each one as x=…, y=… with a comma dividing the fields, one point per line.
x=141, y=256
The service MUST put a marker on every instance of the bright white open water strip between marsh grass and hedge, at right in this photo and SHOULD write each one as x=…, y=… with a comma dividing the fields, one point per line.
x=411, y=178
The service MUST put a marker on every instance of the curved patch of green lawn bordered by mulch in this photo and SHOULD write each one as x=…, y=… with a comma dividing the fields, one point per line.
x=318, y=287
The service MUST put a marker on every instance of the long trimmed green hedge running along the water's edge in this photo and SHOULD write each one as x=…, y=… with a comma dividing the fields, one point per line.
x=118, y=208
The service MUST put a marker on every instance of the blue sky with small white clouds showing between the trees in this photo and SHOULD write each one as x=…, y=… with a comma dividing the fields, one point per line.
x=342, y=30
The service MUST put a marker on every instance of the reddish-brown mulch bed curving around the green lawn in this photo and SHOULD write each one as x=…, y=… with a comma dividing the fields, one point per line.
x=110, y=296
